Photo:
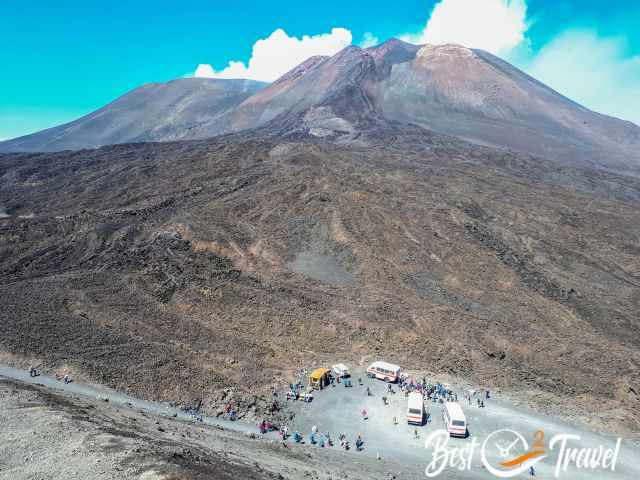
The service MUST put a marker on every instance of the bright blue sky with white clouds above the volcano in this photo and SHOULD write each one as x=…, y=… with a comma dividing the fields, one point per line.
x=66, y=58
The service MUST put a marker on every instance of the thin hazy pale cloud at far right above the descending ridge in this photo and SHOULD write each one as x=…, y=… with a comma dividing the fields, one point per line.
x=597, y=72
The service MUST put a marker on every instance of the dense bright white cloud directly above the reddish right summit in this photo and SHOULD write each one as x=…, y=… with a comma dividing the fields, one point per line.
x=493, y=25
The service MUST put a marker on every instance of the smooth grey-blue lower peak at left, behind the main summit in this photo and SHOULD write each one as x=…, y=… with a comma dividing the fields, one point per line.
x=155, y=111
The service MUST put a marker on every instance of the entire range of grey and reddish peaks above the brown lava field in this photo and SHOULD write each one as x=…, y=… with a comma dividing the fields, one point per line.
x=447, y=89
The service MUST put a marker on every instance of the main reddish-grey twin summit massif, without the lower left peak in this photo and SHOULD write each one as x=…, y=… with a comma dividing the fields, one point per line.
x=447, y=89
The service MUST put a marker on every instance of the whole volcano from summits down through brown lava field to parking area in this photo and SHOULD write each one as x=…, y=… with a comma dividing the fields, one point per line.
x=433, y=206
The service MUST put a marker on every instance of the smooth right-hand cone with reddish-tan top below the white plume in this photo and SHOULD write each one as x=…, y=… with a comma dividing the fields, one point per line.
x=471, y=93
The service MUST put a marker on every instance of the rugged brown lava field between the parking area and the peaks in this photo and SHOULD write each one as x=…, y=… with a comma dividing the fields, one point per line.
x=174, y=270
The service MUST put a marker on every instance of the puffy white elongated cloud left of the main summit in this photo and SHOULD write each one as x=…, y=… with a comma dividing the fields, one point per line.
x=278, y=53
